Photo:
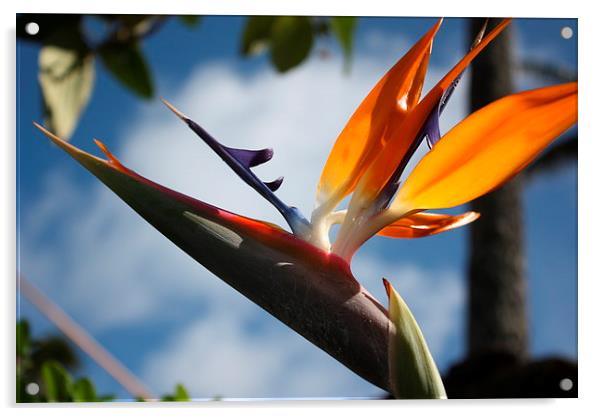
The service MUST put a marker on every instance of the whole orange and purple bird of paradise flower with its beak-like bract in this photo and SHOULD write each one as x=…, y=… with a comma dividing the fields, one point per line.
x=303, y=278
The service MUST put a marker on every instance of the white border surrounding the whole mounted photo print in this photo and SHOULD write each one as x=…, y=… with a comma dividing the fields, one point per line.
x=589, y=194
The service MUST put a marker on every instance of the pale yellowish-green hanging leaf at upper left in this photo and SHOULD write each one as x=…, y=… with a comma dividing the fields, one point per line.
x=66, y=78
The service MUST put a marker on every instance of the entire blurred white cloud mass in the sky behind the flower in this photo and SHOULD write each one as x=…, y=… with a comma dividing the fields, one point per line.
x=110, y=269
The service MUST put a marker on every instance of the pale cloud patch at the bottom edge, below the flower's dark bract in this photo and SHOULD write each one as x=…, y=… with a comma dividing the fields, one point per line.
x=217, y=355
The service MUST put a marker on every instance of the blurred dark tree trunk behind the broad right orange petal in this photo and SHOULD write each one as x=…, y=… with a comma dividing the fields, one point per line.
x=497, y=321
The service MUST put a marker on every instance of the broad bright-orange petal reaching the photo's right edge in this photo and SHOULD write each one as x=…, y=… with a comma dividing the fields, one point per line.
x=488, y=148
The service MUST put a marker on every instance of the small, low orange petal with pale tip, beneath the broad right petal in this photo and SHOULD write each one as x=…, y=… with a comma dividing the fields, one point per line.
x=425, y=224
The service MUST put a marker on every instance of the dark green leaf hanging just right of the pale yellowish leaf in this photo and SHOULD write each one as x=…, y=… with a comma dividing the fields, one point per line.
x=127, y=64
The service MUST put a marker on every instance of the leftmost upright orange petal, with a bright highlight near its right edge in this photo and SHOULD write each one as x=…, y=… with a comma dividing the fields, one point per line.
x=362, y=138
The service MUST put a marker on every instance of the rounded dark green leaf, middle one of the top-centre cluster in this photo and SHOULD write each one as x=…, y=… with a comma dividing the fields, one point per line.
x=291, y=41
